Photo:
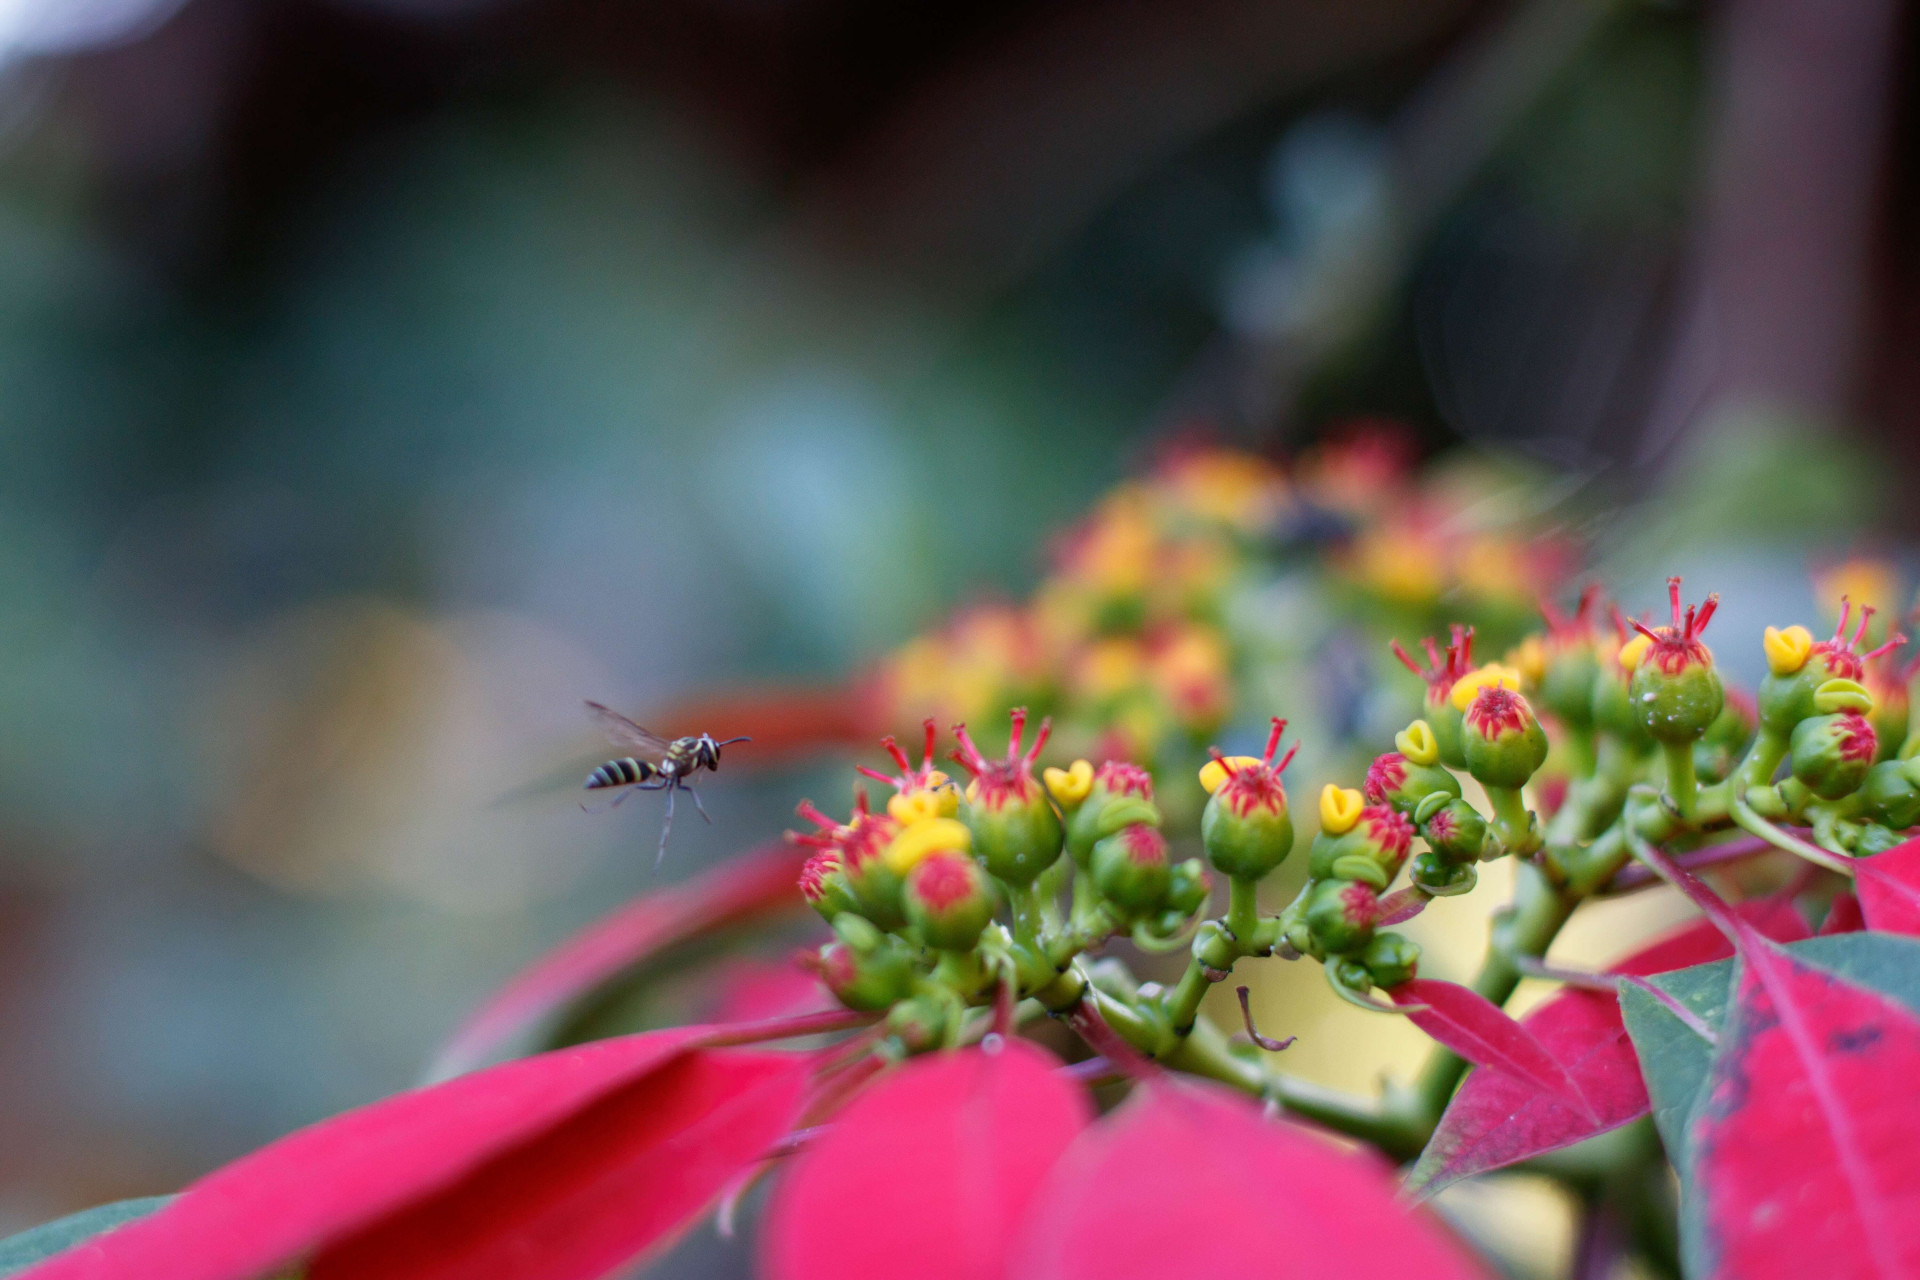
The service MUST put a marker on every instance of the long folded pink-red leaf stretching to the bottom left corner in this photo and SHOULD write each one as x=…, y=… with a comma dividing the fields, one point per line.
x=562, y=1166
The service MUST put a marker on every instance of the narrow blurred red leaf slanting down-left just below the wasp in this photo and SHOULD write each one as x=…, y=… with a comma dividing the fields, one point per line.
x=750, y=888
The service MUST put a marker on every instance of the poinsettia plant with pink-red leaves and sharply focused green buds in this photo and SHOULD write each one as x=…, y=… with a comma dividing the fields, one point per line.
x=965, y=1078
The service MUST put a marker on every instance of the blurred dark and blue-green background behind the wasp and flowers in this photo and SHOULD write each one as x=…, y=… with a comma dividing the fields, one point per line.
x=383, y=377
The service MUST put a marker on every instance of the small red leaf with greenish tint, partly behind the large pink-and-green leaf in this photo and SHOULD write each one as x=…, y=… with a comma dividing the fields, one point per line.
x=1497, y=1120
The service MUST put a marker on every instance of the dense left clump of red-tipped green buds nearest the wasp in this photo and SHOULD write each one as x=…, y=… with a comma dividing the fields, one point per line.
x=913, y=891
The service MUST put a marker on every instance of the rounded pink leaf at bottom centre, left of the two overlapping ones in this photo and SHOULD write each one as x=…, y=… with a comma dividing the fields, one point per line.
x=928, y=1173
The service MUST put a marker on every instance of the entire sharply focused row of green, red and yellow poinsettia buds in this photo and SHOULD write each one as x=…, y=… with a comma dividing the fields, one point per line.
x=1656, y=744
